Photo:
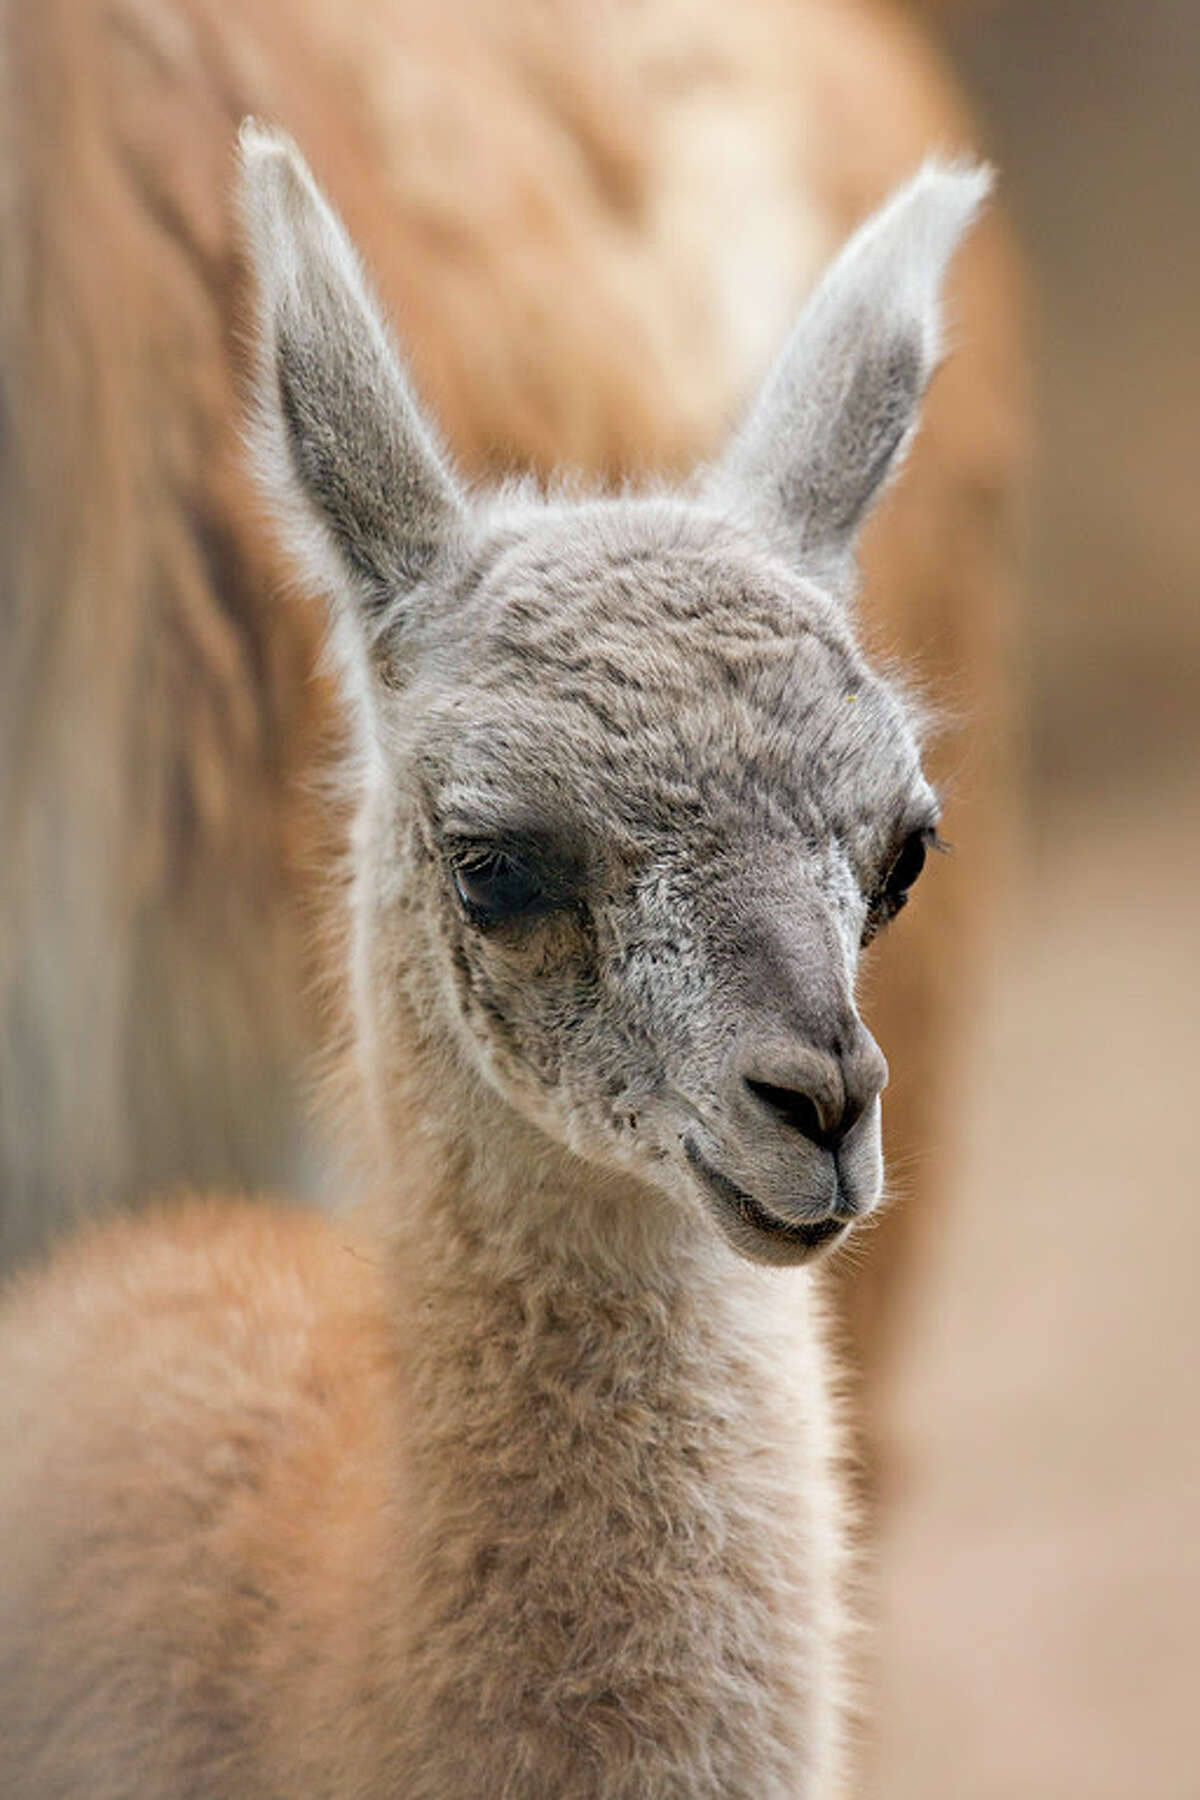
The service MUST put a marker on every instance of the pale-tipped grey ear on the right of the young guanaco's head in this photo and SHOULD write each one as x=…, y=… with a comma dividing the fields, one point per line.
x=841, y=404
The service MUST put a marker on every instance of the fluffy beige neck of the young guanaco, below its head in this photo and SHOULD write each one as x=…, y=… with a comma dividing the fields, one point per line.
x=614, y=1484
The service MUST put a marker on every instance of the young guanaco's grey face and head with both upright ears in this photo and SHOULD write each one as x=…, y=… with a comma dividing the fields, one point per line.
x=632, y=800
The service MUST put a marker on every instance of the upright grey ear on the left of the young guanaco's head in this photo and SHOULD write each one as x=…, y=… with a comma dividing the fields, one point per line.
x=364, y=492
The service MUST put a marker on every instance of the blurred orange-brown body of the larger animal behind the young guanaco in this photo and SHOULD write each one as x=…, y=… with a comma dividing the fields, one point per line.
x=593, y=228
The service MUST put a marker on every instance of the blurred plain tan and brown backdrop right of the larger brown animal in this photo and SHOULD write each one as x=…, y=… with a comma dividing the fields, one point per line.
x=1043, y=1561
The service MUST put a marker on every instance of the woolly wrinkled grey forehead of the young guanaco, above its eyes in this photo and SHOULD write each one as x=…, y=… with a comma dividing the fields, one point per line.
x=643, y=670
